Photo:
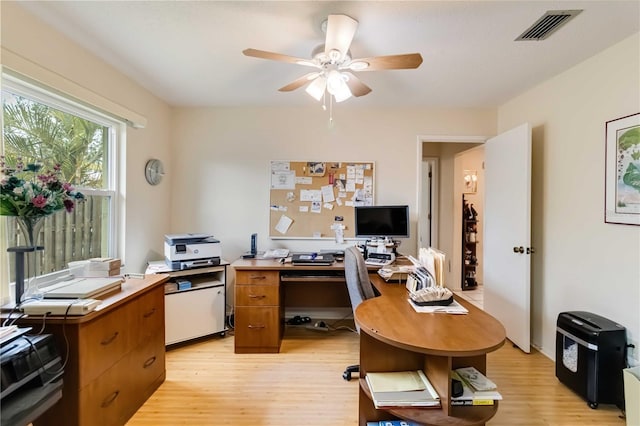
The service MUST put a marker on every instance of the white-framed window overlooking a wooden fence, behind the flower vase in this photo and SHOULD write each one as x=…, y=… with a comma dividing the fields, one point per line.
x=42, y=127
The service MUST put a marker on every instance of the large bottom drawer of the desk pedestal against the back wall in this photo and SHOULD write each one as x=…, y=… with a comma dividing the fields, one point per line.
x=257, y=329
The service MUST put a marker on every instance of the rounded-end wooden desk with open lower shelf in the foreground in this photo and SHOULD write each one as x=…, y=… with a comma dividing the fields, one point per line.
x=393, y=337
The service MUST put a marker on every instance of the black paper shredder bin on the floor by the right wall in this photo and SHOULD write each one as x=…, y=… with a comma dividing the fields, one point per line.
x=590, y=357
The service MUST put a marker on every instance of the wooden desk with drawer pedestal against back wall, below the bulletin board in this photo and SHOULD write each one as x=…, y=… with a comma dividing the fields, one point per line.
x=264, y=287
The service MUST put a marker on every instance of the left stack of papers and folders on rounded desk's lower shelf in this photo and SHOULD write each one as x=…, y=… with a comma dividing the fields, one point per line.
x=402, y=389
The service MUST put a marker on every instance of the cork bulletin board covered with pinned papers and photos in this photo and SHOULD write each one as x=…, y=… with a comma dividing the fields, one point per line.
x=316, y=199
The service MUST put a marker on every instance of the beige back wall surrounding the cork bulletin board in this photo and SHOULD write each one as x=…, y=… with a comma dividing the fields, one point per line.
x=224, y=154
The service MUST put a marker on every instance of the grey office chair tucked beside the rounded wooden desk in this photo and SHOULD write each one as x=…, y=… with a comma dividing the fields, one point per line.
x=360, y=288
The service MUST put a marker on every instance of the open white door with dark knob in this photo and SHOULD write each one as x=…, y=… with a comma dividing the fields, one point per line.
x=507, y=232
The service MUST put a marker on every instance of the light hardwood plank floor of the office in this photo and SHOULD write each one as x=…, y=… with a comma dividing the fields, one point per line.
x=207, y=384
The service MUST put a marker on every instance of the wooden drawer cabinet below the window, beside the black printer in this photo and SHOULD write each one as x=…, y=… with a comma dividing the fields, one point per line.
x=116, y=355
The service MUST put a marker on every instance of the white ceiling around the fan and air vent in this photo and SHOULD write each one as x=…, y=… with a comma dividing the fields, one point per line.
x=189, y=53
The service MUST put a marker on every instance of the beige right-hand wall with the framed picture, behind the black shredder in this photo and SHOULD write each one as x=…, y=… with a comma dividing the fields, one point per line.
x=581, y=263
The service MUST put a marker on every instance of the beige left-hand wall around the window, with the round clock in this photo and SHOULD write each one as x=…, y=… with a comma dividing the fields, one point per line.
x=146, y=212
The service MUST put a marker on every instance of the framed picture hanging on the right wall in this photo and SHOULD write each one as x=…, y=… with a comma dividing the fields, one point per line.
x=622, y=170
